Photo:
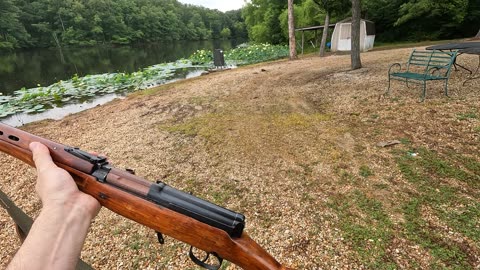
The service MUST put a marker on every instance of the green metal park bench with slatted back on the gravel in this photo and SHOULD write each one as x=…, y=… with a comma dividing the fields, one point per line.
x=423, y=66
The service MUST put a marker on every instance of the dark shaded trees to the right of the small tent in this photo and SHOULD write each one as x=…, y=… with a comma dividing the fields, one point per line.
x=414, y=20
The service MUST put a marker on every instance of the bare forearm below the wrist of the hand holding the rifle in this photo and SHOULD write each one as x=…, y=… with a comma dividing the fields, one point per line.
x=55, y=239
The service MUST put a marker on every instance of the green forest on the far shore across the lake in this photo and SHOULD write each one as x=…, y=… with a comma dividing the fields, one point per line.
x=46, y=23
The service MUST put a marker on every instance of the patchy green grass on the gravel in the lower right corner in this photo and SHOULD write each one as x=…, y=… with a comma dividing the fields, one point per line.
x=443, y=204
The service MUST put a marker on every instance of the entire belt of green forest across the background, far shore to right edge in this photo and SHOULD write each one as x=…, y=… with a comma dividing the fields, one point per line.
x=46, y=23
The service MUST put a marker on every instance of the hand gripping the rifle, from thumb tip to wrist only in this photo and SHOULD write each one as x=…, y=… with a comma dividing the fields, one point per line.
x=56, y=187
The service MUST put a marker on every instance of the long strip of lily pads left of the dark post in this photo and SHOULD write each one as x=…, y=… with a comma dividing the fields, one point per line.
x=79, y=89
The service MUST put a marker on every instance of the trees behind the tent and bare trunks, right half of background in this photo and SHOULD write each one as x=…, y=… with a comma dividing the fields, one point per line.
x=395, y=20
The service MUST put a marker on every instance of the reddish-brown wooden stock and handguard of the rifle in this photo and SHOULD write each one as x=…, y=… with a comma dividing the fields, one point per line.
x=128, y=195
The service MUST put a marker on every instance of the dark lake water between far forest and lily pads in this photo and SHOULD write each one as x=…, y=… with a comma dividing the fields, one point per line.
x=28, y=68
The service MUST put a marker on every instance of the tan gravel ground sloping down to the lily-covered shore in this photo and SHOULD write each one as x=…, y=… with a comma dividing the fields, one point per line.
x=268, y=141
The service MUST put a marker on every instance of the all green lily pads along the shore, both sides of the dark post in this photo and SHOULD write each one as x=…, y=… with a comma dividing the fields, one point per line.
x=79, y=89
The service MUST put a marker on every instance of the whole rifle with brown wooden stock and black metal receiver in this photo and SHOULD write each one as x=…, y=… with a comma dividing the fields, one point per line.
x=199, y=223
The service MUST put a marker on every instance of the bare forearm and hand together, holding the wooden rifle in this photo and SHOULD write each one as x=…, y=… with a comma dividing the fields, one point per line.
x=57, y=235
